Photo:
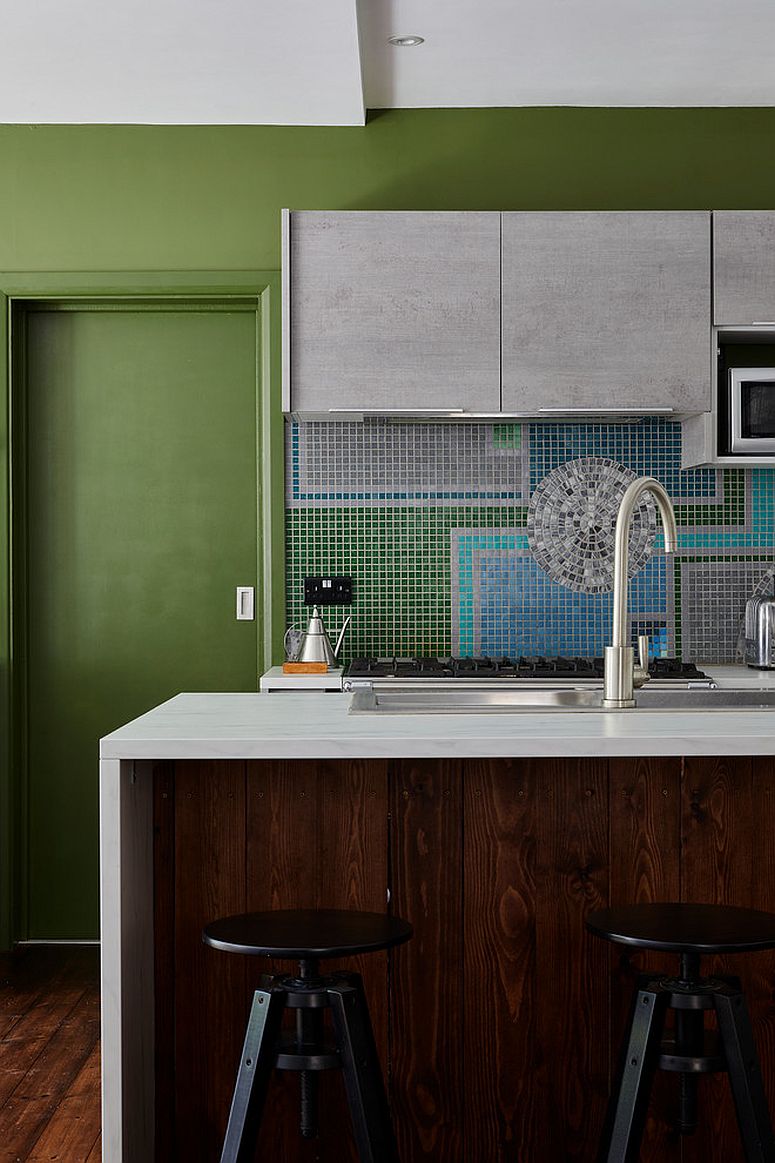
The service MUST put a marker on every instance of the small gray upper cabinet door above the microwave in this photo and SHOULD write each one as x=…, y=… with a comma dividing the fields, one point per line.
x=744, y=268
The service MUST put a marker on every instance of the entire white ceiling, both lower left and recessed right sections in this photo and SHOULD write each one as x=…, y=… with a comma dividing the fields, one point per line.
x=297, y=62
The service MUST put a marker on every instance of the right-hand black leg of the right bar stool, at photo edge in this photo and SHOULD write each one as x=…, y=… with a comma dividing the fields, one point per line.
x=745, y=1076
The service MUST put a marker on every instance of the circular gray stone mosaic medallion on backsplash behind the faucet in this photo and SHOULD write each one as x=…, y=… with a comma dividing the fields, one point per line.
x=572, y=522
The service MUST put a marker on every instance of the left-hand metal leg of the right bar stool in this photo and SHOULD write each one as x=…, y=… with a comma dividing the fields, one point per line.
x=627, y=1116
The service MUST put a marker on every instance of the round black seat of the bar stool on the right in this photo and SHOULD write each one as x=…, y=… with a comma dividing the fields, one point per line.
x=686, y=929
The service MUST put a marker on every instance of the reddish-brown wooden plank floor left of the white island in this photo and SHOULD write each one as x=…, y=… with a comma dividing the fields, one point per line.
x=49, y=1055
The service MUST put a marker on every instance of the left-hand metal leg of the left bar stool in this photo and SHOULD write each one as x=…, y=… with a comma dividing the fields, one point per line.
x=257, y=1066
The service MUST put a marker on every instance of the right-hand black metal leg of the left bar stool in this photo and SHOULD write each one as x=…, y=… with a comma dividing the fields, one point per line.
x=366, y=1094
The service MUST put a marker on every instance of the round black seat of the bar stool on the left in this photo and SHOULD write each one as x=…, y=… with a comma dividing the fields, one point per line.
x=307, y=933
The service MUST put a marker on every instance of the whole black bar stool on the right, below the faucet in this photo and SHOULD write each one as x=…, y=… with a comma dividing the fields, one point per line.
x=689, y=931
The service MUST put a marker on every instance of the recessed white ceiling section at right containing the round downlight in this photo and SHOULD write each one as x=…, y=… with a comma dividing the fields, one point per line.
x=511, y=53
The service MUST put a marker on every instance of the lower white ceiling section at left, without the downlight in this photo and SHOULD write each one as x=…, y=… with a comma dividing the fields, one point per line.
x=181, y=62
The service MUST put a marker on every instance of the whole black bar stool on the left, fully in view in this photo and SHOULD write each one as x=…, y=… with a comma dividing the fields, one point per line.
x=310, y=937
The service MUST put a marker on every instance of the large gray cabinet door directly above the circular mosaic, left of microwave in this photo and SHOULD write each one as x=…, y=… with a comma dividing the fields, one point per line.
x=606, y=311
